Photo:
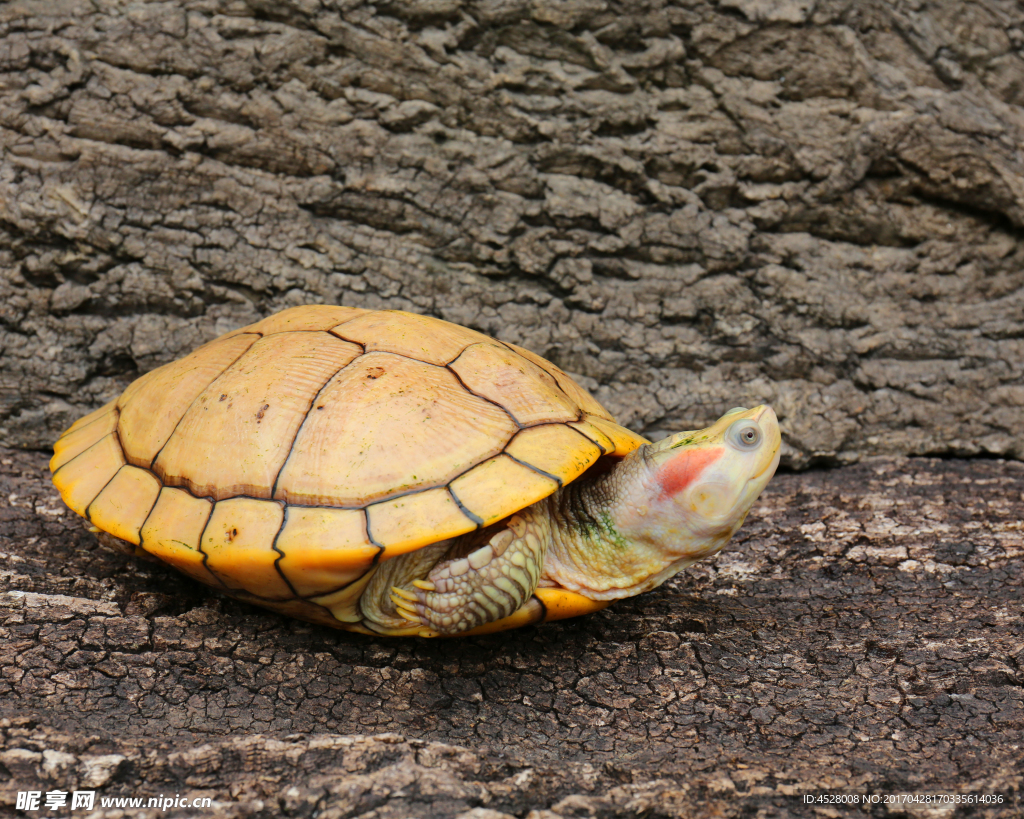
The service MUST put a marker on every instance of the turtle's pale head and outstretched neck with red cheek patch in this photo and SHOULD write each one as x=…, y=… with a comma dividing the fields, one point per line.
x=664, y=507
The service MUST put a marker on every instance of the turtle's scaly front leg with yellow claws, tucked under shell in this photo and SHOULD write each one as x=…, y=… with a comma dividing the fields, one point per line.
x=487, y=585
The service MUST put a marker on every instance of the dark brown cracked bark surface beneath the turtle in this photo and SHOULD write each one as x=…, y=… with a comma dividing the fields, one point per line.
x=864, y=635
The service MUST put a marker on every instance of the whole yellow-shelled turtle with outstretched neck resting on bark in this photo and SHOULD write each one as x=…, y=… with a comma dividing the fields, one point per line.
x=396, y=475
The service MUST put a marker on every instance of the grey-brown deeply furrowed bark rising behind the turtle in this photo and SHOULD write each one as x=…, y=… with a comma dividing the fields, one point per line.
x=691, y=205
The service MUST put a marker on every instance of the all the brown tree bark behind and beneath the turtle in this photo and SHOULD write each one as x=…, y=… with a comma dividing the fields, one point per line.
x=690, y=206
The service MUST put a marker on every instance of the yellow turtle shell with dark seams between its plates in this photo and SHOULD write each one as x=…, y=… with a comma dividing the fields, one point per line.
x=282, y=462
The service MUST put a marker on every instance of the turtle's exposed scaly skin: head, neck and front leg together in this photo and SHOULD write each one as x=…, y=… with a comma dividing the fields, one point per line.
x=617, y=535
